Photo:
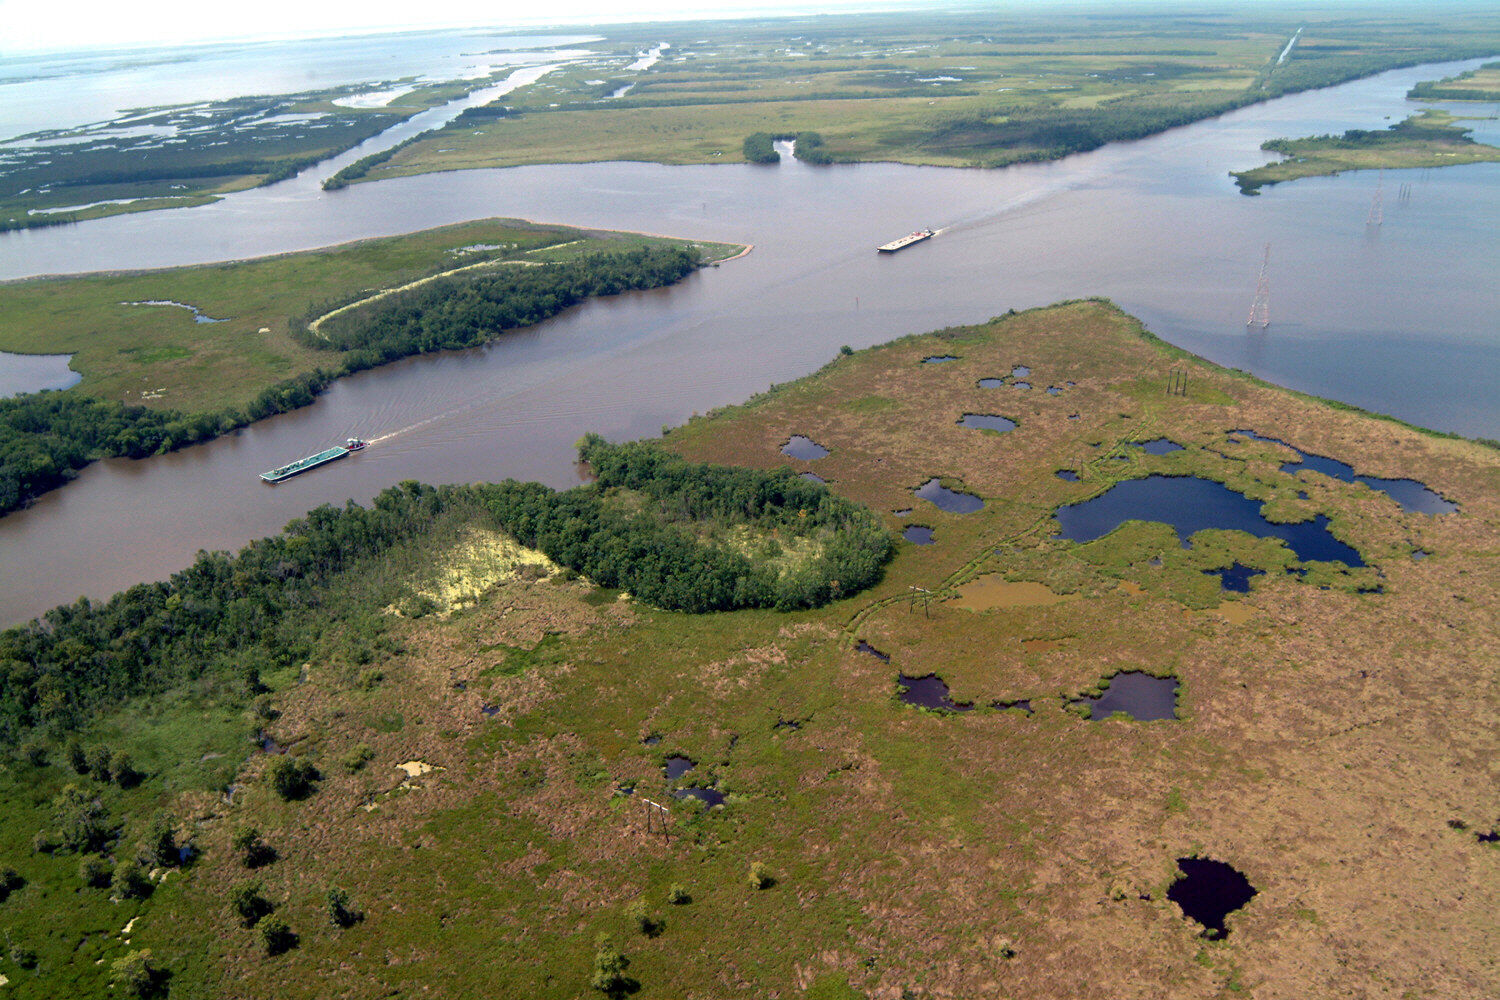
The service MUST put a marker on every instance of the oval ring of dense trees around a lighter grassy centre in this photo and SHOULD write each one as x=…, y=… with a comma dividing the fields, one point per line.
x=667, y=531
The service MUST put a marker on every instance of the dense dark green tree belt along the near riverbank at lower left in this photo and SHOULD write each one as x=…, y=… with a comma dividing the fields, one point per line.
x=223, y=620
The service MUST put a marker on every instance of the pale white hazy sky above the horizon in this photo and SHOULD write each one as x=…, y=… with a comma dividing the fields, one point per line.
x=38, y=26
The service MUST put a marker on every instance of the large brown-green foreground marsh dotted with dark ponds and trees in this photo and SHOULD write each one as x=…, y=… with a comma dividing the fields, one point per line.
x=398, y=750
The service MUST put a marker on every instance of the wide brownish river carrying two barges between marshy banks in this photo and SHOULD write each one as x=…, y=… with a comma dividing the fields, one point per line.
x=1400, y=317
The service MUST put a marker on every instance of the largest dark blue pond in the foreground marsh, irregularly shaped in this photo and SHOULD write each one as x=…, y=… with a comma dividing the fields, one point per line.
x=1190, y=504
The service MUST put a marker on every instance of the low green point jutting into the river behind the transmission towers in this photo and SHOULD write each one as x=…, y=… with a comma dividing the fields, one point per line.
x=1429, y=139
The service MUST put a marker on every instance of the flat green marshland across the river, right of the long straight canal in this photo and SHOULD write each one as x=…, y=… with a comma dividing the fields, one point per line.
x=982, y=89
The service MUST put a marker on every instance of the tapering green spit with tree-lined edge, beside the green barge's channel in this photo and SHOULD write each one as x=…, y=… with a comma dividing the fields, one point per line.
x=205, y=380
